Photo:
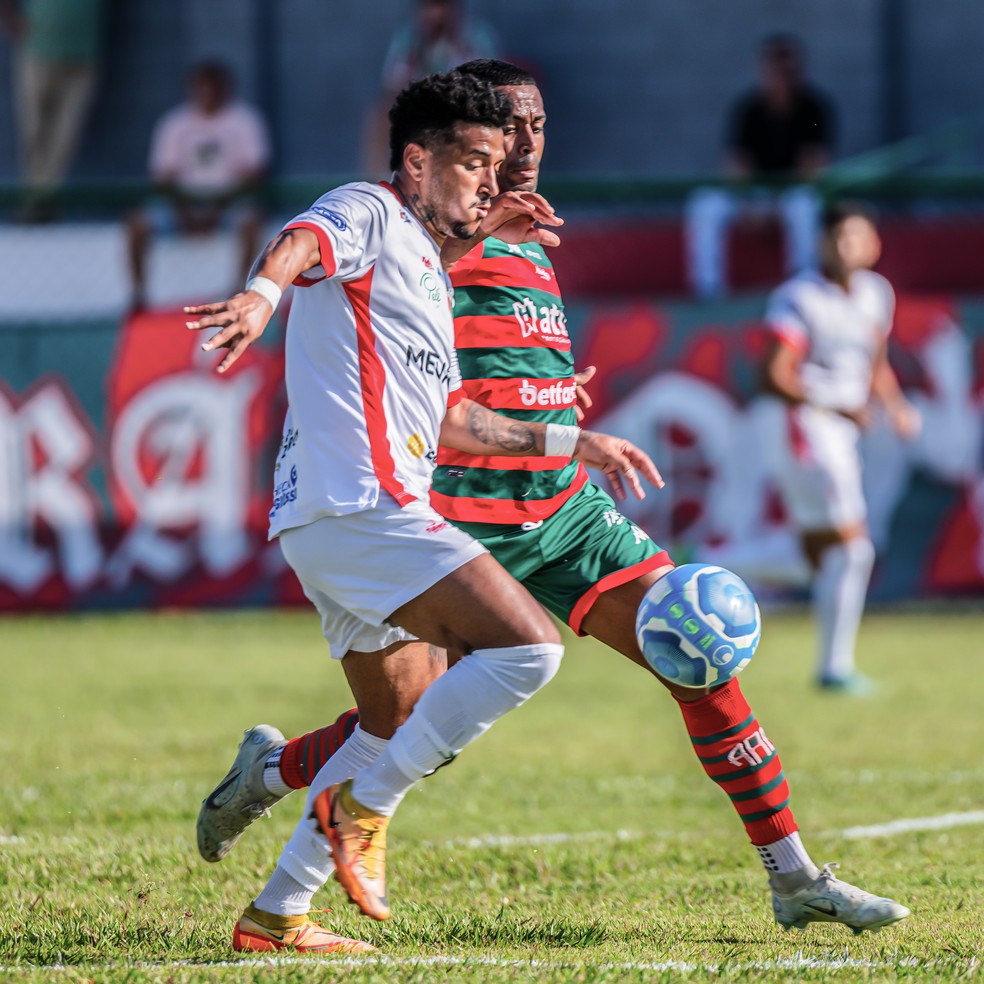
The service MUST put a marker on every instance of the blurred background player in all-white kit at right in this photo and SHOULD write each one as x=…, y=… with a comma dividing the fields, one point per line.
x=829, y=358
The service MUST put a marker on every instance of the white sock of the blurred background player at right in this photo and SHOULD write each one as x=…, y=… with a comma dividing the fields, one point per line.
x=839, y=591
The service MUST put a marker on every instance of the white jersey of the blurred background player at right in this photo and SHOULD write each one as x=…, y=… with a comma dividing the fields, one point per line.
x=838, y=332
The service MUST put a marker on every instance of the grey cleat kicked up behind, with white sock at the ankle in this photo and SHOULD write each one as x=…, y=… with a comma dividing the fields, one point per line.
x=241, y=797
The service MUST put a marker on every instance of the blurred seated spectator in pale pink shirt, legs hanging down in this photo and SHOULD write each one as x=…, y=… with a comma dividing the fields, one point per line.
x=207, y=158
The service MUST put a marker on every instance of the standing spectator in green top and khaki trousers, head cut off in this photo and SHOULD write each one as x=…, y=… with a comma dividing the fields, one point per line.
x=58, y=48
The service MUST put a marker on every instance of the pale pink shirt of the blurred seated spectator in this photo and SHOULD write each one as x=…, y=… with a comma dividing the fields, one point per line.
x=208, y=154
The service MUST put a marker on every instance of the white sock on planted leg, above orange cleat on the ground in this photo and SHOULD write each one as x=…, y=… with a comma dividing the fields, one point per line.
x=306, y=857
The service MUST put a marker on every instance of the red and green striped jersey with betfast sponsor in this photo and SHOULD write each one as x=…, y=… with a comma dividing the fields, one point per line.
x=515, y=357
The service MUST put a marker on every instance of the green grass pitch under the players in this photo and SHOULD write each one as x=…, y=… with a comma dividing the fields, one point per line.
x=619, y=861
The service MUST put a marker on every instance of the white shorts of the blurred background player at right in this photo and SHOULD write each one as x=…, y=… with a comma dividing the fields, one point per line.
x=820, y=469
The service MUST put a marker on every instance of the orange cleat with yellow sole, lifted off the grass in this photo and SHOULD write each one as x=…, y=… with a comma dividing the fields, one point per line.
x=357, y=838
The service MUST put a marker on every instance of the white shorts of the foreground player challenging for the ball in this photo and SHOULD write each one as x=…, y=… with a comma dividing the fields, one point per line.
x=359, y=568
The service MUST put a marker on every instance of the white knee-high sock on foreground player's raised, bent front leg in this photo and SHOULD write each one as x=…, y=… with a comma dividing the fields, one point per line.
x=454, y=710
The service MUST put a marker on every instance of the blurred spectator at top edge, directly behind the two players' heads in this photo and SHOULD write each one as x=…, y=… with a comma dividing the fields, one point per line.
x=440, y=37
